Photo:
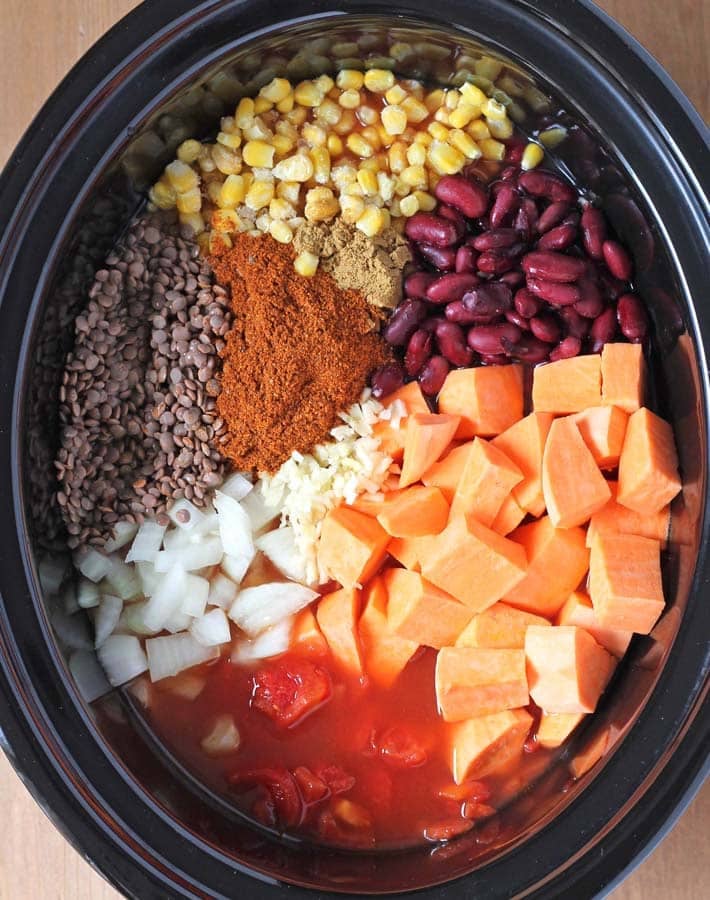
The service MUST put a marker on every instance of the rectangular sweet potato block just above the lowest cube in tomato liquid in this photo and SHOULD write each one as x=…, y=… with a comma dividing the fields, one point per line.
x=473, y=681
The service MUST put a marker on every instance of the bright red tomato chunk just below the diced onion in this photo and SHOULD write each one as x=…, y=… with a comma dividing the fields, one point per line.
x=289, y=690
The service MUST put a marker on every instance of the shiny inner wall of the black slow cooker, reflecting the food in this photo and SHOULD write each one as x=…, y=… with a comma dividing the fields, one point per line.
x=113, y=194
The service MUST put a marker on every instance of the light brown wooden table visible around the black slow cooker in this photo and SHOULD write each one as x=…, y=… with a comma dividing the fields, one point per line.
x=39, y=41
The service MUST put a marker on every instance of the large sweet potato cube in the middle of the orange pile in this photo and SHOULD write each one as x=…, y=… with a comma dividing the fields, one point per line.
x=472, y=563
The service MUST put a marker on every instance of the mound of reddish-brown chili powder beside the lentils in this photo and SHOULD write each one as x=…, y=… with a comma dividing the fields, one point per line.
x=299, y=351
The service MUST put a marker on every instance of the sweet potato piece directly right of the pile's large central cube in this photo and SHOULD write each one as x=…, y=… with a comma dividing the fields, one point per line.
x=558, y=560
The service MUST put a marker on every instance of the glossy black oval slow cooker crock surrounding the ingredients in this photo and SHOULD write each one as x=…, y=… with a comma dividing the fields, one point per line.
x=161, y=74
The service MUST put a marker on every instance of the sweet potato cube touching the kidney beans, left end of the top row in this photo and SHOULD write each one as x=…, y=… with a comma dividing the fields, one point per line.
x=488, y=399
